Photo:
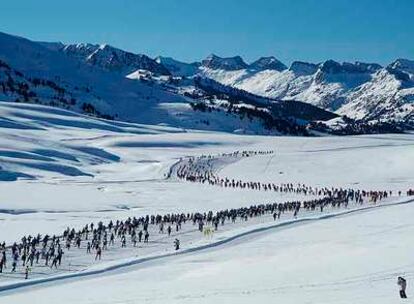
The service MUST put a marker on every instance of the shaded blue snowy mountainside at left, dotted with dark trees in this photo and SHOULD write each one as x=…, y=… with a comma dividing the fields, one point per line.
x=44, y=73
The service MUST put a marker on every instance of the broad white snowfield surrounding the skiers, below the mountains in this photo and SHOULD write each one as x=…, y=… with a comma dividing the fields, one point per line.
x=60, y=169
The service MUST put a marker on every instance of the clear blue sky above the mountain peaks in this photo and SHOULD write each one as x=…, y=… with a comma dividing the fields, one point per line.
x=308, y=30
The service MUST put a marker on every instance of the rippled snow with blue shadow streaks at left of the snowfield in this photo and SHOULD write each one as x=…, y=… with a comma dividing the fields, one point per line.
x=26, y=149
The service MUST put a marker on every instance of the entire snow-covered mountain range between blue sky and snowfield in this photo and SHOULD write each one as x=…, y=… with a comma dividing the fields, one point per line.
x=263, y=97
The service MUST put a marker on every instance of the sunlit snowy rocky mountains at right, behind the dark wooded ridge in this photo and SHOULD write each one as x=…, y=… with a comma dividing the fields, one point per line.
x=358, y=90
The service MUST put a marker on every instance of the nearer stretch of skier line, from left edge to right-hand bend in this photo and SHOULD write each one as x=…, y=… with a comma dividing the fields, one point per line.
x=97, y=238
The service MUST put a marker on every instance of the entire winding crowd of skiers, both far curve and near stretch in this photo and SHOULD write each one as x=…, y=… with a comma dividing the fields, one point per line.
x=49, y=251
